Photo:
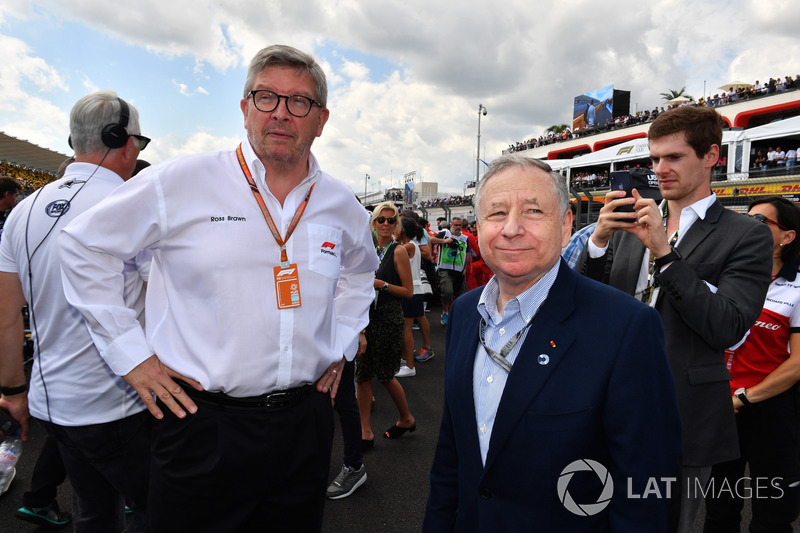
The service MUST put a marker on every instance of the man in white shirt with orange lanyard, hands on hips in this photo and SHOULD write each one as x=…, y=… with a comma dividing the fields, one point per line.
x=262, y=276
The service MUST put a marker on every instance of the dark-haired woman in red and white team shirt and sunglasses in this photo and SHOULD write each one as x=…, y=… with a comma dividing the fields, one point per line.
x=765, y=369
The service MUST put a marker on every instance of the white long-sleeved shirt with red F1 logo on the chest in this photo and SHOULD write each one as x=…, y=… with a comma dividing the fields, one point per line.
x=211, y=303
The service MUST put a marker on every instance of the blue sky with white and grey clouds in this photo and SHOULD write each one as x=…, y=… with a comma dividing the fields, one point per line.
x=405, y=78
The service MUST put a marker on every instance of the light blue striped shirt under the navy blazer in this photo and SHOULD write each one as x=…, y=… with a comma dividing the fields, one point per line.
x=489, y=378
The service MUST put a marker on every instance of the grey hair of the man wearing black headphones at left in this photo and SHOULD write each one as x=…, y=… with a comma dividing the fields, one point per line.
x=91, y=114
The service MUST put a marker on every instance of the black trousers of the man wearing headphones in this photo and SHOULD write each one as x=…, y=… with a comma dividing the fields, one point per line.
x=106, y=464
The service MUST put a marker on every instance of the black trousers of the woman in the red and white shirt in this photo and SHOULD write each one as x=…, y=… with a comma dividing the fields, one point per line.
x=769, y=439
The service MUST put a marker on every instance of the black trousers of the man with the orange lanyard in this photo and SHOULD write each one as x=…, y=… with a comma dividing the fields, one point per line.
x=226, y=470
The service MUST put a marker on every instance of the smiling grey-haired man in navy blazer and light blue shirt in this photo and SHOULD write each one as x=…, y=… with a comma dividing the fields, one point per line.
x=560, y=411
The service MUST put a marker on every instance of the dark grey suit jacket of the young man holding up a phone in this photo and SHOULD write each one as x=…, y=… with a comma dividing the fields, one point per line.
x=734, y=254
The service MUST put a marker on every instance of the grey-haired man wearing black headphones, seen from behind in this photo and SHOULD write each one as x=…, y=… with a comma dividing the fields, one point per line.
x=99, y=422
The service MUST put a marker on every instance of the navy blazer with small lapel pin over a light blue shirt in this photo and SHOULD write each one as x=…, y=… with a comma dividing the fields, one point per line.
x=606, y=395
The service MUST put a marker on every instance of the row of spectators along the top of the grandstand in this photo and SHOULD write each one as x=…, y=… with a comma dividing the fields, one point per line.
x=755, y=90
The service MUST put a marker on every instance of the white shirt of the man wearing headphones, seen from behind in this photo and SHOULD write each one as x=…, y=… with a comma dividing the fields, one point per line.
x=70, y=383
